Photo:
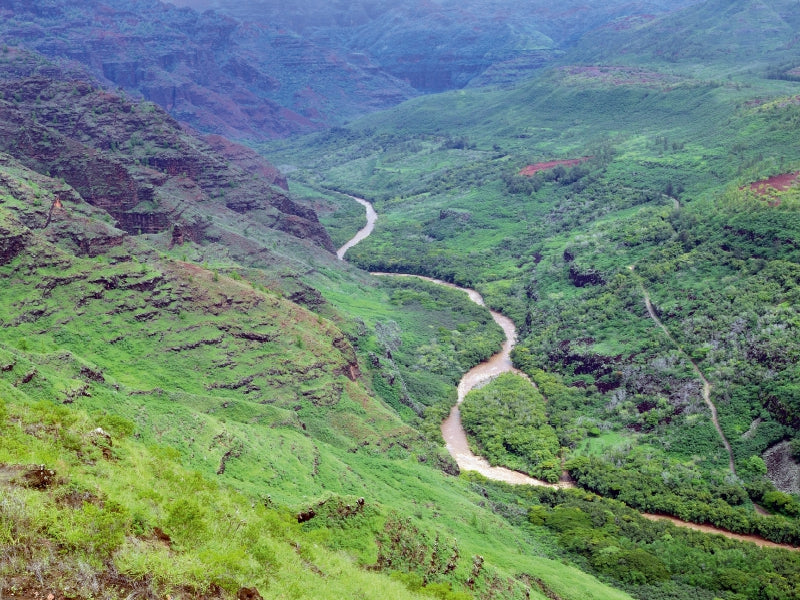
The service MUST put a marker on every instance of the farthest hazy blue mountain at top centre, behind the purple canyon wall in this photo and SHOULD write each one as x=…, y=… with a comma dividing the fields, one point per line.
x=445, y=44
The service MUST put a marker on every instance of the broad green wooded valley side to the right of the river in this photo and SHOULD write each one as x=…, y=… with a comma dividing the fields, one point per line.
x=658, y=208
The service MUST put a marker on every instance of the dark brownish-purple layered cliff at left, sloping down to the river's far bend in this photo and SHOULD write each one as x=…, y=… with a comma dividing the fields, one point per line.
x=134, y=161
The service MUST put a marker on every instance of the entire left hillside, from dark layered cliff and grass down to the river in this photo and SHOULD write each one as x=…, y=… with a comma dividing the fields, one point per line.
x=230, y=412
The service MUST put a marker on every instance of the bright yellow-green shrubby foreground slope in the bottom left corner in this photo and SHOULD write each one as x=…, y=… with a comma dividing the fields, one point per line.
x=113, y=517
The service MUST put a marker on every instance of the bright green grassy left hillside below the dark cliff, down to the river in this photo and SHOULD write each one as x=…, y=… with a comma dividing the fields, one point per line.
x=230, y=411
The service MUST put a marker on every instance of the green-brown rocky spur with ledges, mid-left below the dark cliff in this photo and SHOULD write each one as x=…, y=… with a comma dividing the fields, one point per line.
x=72, y=277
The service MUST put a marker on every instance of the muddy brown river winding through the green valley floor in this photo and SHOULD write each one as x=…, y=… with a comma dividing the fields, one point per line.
x=452, y=430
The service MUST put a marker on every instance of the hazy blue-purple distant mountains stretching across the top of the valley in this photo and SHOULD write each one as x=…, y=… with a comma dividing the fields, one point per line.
x=256, y=71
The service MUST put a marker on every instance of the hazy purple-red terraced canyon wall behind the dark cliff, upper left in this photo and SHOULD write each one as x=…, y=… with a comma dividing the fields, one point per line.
x=242, y=80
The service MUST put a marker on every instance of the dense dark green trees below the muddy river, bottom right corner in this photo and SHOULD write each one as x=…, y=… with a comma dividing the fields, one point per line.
x=650, y=559
